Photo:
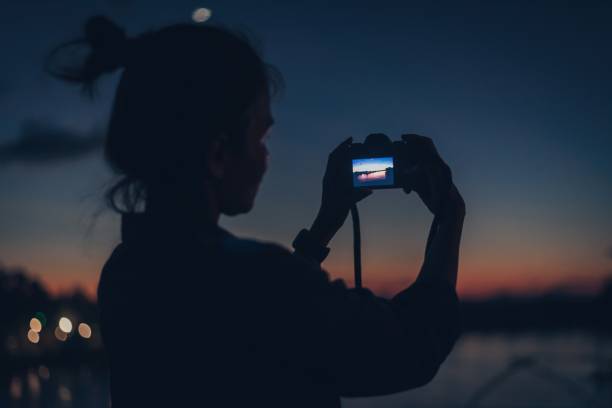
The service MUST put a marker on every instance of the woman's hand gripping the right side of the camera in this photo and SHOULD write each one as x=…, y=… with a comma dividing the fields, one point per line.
x=431, y=178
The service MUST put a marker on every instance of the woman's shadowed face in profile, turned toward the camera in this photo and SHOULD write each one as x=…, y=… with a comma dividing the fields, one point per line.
x=247, y=166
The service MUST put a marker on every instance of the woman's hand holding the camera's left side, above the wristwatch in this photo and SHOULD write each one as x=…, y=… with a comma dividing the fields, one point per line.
x=338, y=194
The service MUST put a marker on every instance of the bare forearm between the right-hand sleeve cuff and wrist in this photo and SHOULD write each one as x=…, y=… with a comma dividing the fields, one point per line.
x=442, y=252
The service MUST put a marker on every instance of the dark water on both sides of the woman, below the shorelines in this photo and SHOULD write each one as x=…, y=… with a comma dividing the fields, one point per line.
x=550, y=370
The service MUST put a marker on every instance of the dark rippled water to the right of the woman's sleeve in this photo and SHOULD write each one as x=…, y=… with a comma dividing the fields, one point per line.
x=550, y=370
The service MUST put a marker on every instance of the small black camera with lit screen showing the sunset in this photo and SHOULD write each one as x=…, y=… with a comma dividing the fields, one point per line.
x=377, y=163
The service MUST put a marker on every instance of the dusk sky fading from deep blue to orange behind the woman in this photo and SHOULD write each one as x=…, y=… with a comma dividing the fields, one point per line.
x=517, y=97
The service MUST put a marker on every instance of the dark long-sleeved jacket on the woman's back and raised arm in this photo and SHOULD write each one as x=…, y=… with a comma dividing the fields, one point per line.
x=194, y=316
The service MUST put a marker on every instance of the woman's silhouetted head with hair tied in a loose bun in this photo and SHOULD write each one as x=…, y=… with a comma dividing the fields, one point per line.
x=191, y=109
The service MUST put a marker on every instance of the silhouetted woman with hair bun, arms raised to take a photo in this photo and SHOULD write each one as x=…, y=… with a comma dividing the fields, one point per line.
x=192, y=315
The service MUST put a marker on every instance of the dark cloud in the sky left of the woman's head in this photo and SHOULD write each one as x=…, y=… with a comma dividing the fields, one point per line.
x=40, y=142
